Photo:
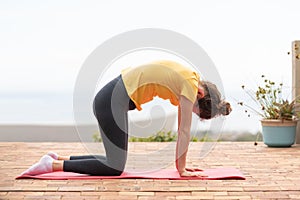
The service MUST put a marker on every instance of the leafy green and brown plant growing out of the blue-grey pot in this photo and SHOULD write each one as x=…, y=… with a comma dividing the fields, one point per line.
x=271, y=104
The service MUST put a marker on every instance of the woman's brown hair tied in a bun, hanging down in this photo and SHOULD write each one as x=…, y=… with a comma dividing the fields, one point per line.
x=211, y=104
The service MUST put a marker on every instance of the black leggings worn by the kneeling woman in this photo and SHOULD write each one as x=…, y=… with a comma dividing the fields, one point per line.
x=111, y=106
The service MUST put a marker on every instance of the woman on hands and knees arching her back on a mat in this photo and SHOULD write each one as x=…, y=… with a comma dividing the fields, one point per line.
x=134, y=87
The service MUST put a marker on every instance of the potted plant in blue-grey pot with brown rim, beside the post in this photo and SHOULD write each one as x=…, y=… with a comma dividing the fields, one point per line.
x=279, y=116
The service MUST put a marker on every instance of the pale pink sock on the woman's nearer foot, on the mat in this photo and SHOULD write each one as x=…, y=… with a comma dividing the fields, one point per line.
x=41, y=167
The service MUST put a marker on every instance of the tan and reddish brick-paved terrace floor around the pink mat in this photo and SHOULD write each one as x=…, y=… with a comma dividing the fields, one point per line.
x=272, y=173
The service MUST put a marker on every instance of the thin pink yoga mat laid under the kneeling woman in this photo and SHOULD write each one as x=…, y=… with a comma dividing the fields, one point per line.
x=172, y=174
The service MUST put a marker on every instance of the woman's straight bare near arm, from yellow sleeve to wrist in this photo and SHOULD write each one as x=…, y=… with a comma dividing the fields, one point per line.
x=184, y=127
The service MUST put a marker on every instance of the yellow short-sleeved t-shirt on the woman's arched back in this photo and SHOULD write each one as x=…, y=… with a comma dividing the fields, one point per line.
x=165, y=79
